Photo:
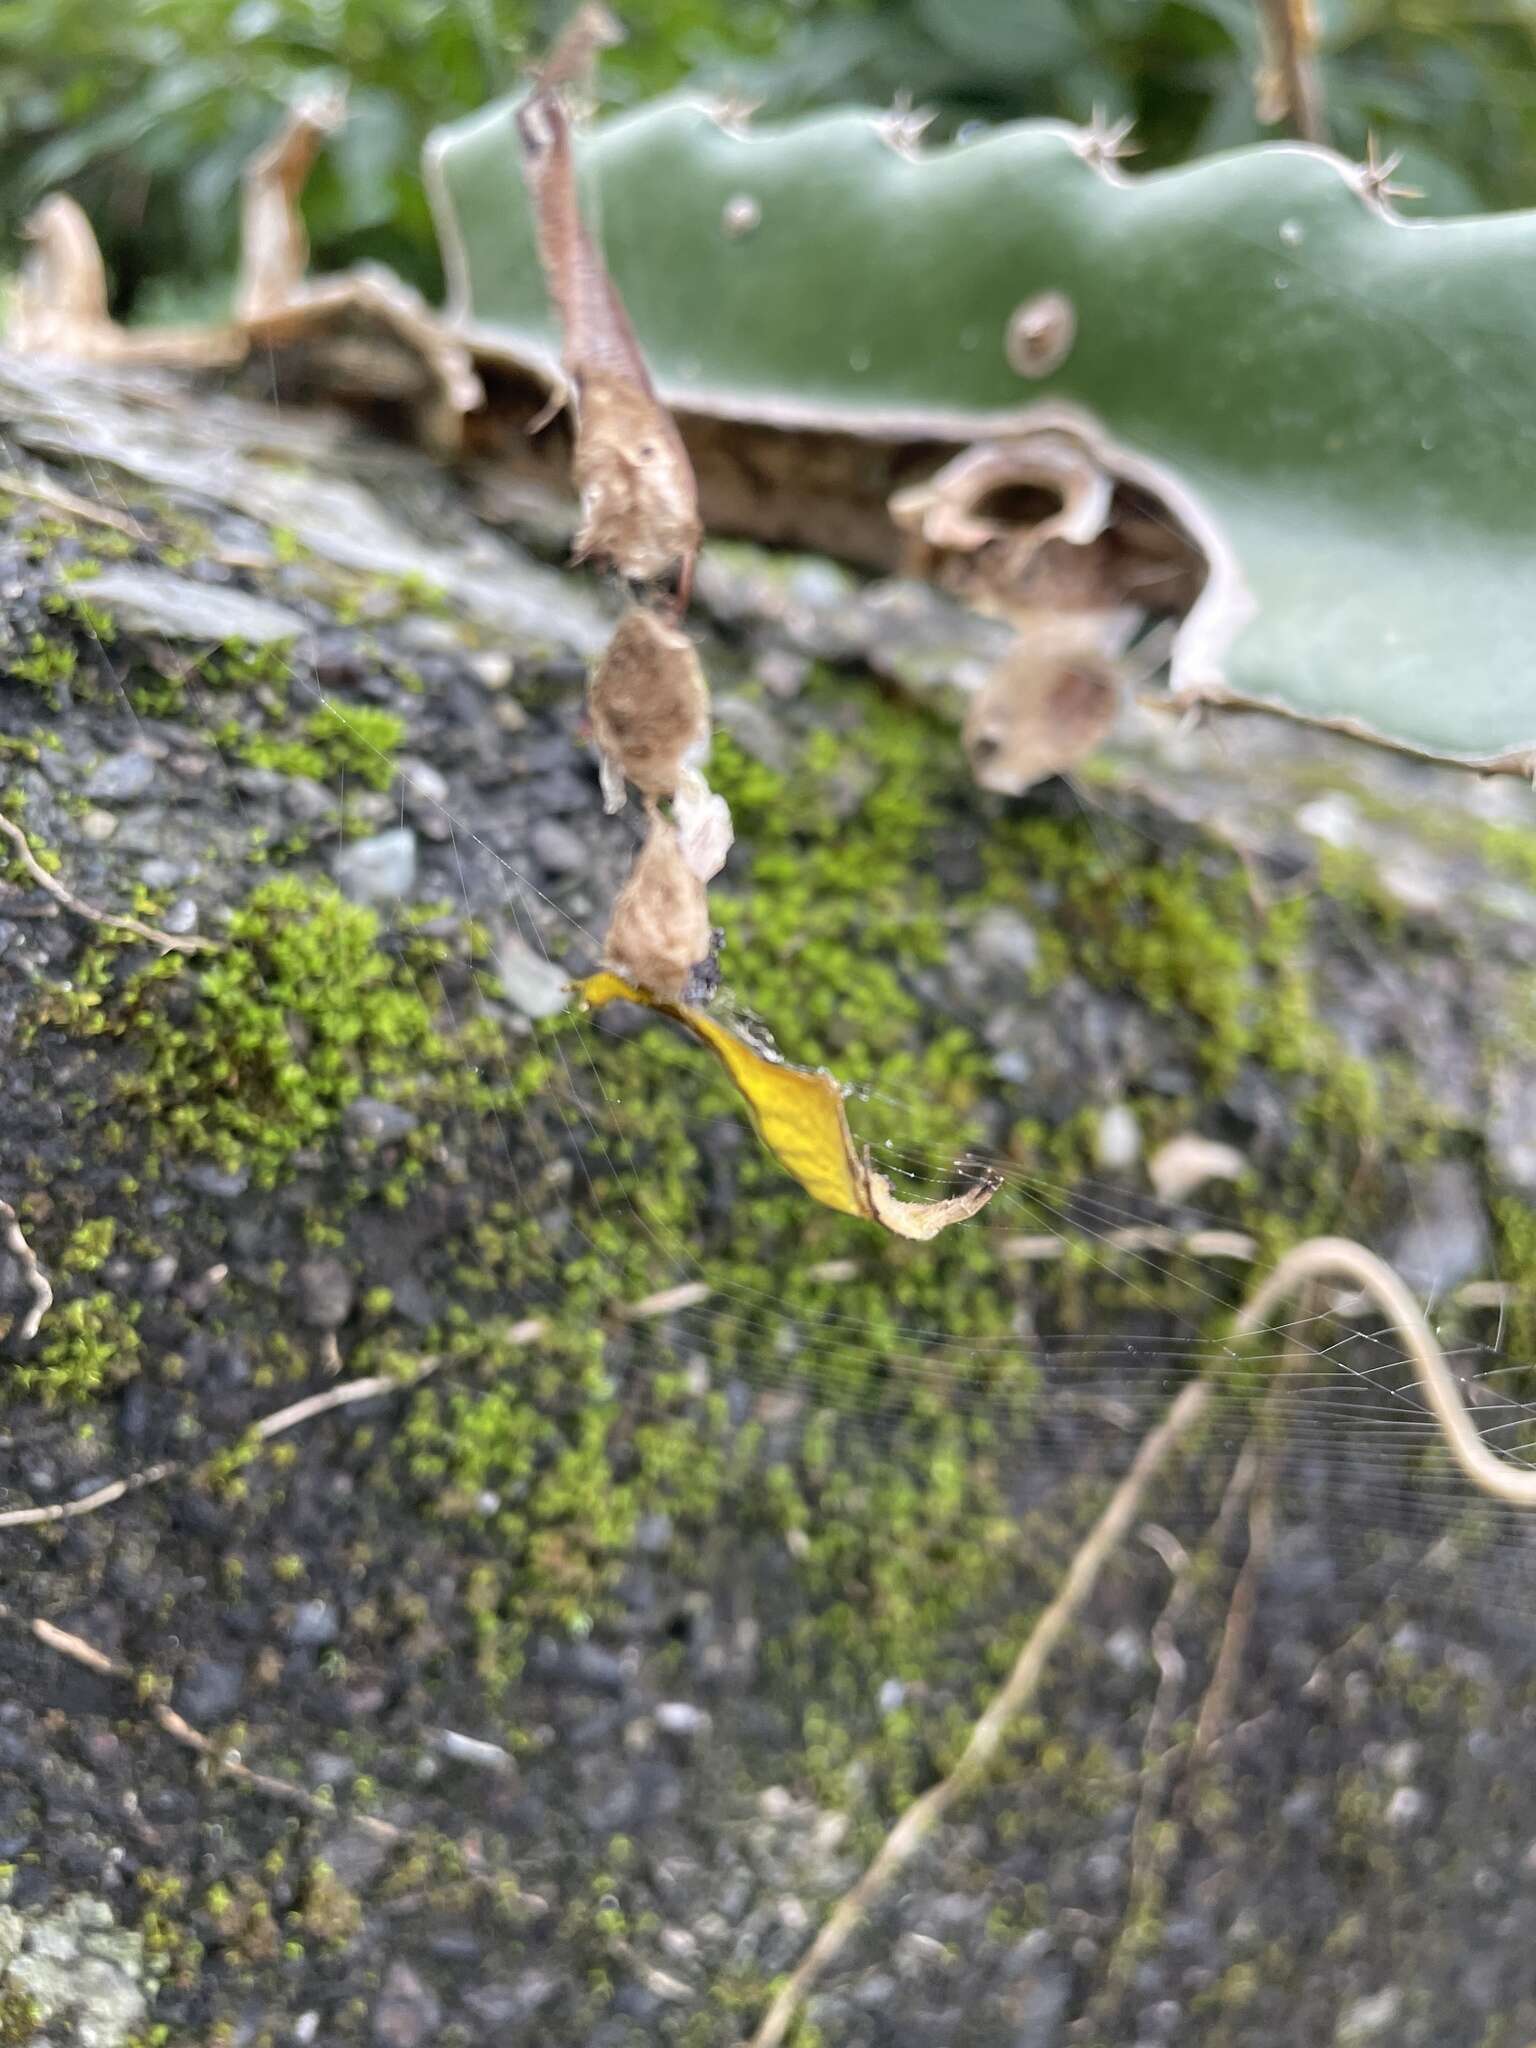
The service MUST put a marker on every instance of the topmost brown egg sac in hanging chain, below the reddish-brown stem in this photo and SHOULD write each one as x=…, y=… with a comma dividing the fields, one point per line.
x=640, y=505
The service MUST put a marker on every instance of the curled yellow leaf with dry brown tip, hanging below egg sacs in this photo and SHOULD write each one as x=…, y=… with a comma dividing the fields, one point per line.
x=800, y=1117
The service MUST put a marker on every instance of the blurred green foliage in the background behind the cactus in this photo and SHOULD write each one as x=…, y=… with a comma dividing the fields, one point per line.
x=146, y=110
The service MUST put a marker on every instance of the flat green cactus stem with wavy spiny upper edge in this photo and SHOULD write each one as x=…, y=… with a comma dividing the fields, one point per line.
x=1338, y=407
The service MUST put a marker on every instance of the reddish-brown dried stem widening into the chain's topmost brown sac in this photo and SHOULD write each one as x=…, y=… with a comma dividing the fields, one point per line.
x=640, y=505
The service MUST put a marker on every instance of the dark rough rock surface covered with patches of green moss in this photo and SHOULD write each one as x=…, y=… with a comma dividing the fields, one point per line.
x=683, y=1525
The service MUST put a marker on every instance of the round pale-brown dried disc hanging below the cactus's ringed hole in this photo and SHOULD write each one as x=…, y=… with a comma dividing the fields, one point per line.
x=1046, y=706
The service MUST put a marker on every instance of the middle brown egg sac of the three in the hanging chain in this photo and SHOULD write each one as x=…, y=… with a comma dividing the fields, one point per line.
x=650, y=710
